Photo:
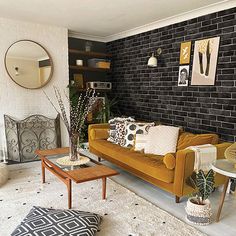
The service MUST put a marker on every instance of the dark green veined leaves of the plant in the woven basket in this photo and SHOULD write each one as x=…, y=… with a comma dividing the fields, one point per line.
x=203, y=183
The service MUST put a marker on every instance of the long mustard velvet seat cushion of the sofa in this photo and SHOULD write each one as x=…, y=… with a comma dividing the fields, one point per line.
x=149, y=164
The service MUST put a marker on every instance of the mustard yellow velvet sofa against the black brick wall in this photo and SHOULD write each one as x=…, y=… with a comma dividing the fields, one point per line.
x=168, y=172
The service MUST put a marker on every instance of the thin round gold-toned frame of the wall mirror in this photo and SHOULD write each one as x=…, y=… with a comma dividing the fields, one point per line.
x=50, y=58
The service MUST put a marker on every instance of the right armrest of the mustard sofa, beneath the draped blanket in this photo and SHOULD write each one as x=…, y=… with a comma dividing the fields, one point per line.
x=185, y=165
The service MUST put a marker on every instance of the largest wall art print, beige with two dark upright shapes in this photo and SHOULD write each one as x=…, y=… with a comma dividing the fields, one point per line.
x=205, y=61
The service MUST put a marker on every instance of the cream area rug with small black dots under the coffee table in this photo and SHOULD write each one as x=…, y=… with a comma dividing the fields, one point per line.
x=124, y=213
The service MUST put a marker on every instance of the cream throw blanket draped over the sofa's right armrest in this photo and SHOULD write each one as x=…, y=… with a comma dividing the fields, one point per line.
x=205, y=155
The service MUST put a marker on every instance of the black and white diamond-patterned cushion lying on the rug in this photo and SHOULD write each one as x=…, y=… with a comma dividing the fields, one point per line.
x=50, y=222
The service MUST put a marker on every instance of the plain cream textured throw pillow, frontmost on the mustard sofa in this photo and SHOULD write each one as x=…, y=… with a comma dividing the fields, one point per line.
x=161, y=140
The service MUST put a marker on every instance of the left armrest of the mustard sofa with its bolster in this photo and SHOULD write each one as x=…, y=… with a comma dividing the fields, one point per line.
x=98, y=131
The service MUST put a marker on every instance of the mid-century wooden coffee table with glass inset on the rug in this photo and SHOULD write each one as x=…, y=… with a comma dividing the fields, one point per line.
x=92, y=172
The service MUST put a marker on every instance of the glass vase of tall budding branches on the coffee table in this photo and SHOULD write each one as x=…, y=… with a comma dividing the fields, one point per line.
x=78, y=112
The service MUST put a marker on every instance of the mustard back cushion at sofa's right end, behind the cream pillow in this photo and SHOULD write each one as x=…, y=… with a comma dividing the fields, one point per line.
x=189, y=139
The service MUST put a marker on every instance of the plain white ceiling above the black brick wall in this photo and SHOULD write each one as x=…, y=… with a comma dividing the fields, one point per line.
x=102, y=18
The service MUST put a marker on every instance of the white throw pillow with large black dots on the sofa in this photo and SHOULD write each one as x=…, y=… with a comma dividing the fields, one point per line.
x=131, y=129
